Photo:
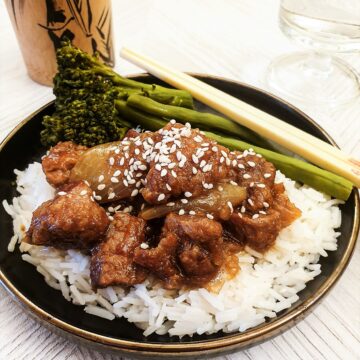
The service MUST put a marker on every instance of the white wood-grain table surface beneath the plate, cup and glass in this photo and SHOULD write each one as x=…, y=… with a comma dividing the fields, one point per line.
x=231, y=38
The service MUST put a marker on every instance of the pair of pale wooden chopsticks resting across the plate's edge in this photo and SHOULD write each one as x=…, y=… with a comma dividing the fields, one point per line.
x=292, y=138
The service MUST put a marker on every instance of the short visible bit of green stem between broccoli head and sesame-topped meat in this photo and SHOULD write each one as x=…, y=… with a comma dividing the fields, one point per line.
x=146, y=121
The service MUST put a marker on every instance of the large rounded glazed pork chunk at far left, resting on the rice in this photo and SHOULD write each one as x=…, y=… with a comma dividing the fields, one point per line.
x=72, y=220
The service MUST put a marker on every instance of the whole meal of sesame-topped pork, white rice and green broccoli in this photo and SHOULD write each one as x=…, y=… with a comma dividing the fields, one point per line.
x=146, y=209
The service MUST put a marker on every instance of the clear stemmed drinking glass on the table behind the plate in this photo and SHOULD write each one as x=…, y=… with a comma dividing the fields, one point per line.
x=317, y=76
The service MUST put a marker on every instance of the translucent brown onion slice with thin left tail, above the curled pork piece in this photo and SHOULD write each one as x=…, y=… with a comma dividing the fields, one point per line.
x=215, y=202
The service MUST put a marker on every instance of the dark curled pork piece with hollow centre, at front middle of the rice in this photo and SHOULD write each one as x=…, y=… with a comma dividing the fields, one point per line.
x=189, y=252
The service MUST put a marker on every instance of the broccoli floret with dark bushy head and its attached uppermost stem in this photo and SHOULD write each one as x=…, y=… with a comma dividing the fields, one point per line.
x=86, y=91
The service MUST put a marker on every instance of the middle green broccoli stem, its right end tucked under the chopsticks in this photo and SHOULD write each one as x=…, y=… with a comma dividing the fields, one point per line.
x=202, y=120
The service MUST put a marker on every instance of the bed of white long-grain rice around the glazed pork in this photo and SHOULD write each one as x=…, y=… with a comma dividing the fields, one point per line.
x=265, y=285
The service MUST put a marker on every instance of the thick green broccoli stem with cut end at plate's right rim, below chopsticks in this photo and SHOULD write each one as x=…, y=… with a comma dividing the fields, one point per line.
x=295, y=169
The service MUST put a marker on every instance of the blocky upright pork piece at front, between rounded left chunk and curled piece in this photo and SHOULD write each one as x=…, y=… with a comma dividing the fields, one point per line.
x=112, y=260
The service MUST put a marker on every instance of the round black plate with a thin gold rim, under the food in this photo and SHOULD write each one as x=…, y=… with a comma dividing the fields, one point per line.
x=22, y=146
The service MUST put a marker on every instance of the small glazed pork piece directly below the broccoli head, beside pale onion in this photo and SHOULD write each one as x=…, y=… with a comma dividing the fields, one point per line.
x=59, y=162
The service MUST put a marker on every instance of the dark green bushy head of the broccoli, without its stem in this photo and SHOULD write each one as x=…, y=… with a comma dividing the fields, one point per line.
x=85, y=109
